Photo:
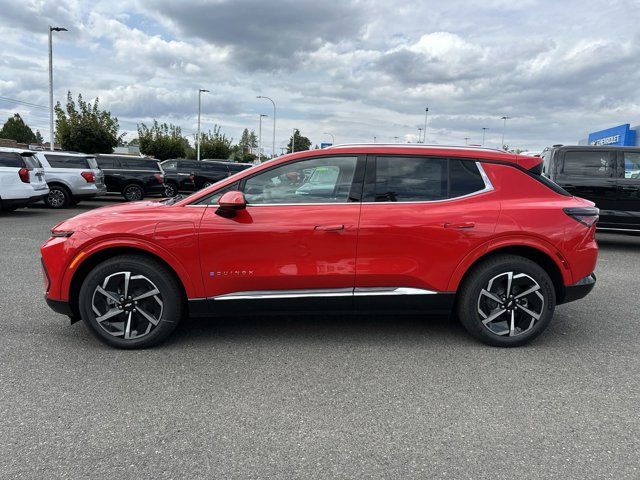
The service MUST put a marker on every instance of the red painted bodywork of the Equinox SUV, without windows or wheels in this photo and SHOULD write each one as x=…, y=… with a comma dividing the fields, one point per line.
x=427, y=245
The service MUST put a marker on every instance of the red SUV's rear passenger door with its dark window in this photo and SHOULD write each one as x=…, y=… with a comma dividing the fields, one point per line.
x=419, y=218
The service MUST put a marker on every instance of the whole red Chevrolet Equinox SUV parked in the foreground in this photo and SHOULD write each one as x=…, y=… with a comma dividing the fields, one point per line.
x=371, y=228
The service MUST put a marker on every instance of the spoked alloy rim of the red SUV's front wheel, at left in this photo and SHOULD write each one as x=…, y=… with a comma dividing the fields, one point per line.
x=127, y=305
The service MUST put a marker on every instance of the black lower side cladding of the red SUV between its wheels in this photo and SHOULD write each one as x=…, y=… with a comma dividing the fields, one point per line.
x=440, y=303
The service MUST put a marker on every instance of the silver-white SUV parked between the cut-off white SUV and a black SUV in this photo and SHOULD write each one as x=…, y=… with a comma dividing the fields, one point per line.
x=71, y=177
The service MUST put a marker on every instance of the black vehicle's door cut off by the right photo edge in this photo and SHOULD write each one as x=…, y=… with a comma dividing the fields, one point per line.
x=628, y=200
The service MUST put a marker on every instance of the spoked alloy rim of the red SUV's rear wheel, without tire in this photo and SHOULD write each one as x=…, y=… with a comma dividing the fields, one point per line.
x=515, y=294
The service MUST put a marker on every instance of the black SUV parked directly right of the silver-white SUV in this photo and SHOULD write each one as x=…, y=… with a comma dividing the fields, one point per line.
x=133, y=177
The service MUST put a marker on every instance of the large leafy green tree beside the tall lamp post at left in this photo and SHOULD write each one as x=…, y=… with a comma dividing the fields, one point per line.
x=85, y=128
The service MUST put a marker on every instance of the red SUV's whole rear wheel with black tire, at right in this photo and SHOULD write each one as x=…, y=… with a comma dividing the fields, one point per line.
x=502, y=332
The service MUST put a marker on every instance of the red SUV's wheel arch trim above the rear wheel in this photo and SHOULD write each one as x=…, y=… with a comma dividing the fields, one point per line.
x=555, y=267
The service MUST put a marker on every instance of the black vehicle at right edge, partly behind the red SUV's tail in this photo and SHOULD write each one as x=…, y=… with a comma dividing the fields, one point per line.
x=608, y=176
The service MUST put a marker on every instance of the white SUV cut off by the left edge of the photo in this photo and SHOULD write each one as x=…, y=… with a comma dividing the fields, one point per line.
x=21, y=179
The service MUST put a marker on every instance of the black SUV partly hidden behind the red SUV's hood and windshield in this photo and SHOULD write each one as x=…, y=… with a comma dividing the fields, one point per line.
x=192, y=175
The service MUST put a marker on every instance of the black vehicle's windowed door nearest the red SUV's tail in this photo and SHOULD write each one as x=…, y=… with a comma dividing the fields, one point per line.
x=591, y=174
